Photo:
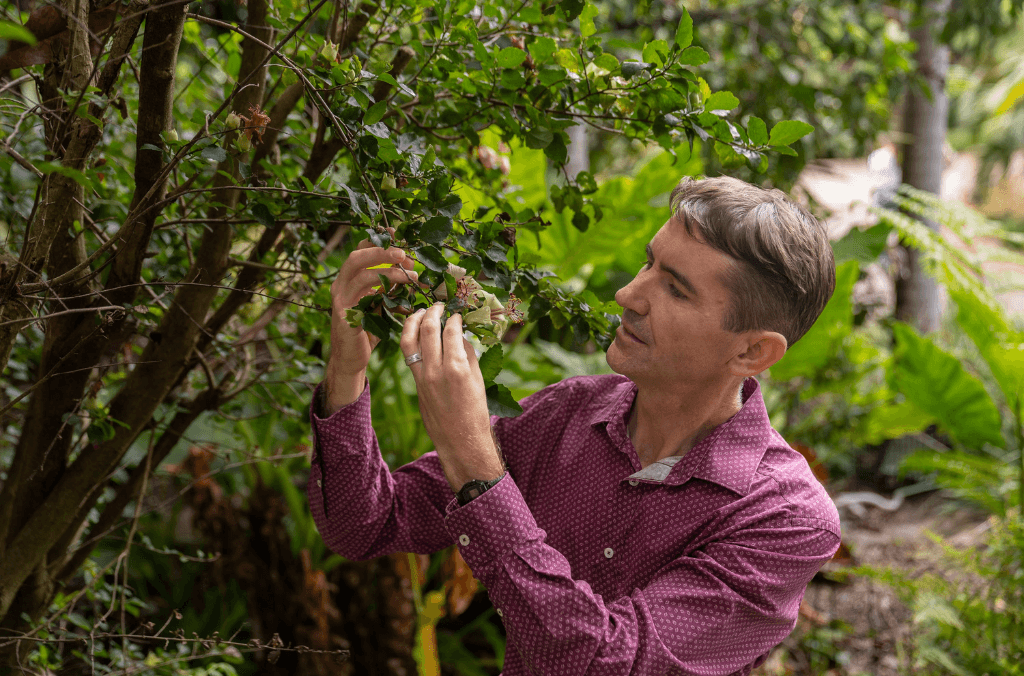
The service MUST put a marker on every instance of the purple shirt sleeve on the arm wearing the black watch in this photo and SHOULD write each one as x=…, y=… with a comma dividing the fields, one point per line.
x=717, y=611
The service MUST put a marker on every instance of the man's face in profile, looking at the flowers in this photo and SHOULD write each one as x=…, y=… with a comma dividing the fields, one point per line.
x=677, y=340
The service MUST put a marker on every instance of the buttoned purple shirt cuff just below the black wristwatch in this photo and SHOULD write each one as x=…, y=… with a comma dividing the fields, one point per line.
x=491, y=526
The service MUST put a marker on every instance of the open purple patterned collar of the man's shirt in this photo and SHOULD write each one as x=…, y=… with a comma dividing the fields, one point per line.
x=729, y=457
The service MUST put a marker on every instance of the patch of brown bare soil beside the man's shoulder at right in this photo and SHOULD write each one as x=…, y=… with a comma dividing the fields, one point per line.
x=860, y=627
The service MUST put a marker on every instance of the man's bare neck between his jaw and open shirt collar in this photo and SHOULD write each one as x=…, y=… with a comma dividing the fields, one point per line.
x=662, y=427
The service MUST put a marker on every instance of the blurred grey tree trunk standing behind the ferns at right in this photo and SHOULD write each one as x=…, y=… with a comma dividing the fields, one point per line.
x=919, y=299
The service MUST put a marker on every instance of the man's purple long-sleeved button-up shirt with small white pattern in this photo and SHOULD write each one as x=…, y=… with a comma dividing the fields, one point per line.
x=695, y=565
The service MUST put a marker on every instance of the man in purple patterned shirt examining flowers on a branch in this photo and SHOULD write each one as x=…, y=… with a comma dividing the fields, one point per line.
x=649, y=522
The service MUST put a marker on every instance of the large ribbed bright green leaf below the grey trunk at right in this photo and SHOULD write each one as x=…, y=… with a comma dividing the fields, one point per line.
x=936, y=383
